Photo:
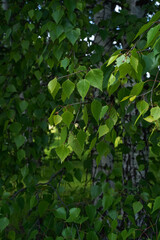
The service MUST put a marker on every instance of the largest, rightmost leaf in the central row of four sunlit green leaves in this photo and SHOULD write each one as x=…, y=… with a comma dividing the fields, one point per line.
x=95, y=78
